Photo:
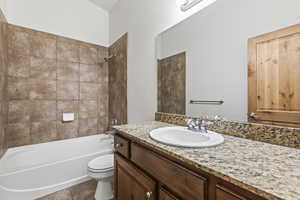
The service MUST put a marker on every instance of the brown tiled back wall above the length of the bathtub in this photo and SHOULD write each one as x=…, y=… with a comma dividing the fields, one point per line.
x=49, y=75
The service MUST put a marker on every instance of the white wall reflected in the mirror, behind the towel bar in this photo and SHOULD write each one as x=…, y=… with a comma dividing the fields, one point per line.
x=215, y=40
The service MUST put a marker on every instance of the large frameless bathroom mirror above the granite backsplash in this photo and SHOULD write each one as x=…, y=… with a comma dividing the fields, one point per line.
x=202, y=62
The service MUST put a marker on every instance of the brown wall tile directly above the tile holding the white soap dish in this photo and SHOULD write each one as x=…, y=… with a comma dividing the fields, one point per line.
x=67, y=90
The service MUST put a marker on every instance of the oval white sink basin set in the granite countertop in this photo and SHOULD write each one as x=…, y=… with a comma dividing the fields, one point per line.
x=182, y=137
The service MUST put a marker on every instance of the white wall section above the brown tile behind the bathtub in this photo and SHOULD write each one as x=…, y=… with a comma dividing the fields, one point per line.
x=79, y=19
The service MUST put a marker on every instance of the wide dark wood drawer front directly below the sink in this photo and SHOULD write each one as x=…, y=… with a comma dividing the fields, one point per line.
x=184, y=183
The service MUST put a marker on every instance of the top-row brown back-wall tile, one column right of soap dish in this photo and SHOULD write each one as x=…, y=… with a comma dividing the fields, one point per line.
x=88, y=54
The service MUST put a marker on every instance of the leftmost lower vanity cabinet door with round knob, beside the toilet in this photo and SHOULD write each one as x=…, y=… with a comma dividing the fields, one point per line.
x=131, y=183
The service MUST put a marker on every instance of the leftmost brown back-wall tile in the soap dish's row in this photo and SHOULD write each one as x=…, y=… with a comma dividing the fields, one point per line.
x=19, y=111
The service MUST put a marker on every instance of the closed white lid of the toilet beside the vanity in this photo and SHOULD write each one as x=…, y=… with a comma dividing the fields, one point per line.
x=102, y=162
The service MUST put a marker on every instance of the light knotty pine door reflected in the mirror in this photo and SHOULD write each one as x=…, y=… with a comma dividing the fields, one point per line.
x=274, y=77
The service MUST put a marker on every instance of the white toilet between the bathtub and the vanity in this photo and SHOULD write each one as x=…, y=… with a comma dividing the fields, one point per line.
x=102, y=169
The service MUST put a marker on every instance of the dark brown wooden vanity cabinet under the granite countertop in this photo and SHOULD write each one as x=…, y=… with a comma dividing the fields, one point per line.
x=144, y=173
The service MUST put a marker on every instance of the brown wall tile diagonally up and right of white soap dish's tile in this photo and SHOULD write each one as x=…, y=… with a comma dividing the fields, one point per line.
x=88, y=91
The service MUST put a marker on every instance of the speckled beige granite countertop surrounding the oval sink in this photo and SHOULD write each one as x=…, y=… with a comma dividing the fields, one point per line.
x=271, y=171
